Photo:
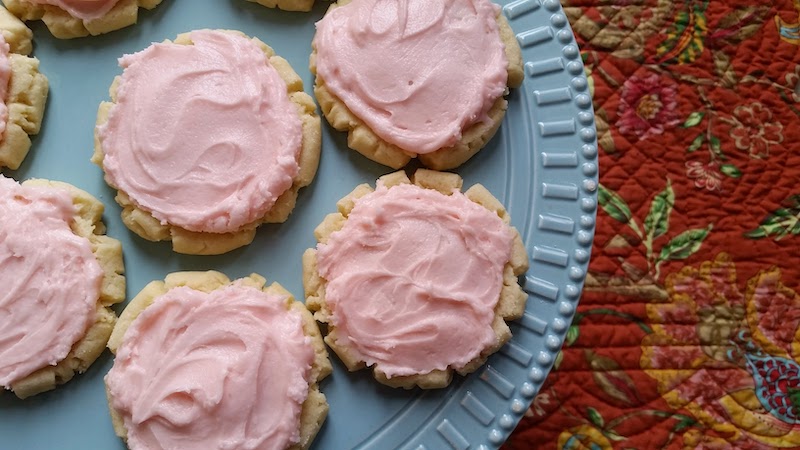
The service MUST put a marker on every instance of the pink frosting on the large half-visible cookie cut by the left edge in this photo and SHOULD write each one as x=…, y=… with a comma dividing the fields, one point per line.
x=50, y=279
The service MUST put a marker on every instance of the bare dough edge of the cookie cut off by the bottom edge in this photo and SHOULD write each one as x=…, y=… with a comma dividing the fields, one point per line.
x=315, y=408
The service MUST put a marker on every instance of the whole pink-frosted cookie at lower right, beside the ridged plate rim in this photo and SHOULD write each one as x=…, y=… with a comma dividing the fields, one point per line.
x=416, y=279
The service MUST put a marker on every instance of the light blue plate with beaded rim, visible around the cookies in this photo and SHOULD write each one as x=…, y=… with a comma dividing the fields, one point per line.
x=542, y=165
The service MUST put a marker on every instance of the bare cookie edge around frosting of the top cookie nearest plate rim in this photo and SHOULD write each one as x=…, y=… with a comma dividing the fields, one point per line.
x=362, y=139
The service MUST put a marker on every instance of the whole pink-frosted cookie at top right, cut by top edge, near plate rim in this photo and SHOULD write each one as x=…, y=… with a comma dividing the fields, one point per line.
x=415, y=79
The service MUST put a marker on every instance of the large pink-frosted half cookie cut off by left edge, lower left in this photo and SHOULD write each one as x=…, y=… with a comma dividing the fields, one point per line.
x=60, y=276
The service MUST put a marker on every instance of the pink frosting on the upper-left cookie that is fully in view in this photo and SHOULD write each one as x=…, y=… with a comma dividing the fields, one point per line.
x=202, y=136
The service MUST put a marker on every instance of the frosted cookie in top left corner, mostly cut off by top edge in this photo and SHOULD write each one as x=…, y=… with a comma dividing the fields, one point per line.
x=67, y=19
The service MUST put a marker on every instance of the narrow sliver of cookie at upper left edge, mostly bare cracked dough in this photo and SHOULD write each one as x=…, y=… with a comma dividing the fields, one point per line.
x=23, y=91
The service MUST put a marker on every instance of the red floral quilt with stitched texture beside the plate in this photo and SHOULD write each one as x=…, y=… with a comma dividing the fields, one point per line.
x=688, y=332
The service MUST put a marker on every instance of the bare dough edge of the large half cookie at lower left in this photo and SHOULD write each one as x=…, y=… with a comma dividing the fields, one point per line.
x=108, y=252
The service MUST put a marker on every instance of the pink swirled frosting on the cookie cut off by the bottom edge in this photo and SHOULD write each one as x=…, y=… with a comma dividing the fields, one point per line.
x=222, y=370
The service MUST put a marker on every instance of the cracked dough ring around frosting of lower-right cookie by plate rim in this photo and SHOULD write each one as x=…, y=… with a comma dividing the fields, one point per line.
x=511, y=301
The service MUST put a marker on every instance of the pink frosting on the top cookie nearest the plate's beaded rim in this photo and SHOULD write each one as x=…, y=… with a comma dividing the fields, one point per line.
x=418, y=72
